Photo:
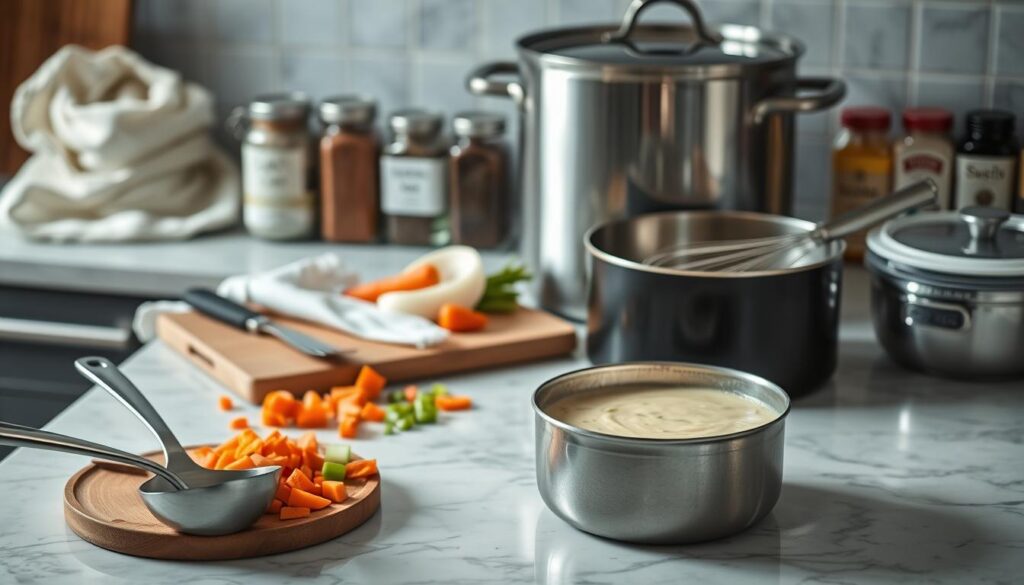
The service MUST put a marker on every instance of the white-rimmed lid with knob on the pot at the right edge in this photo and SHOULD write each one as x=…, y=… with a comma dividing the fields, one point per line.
x=974, y=242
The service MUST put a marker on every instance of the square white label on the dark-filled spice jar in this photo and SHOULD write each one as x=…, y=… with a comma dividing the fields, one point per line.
x=414, y=187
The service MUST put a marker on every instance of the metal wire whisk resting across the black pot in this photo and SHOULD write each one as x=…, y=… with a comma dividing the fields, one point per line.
x=785, y=252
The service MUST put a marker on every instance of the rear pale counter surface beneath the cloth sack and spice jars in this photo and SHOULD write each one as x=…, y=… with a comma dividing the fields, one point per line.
x=167, y=269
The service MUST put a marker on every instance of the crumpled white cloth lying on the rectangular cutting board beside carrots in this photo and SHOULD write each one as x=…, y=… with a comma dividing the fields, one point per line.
x=311, y=289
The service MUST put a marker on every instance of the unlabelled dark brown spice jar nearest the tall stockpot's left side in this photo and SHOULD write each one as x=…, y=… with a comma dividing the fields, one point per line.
x=480, y=206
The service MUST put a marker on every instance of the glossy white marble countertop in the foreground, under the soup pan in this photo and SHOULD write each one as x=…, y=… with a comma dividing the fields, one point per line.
x=890, y=477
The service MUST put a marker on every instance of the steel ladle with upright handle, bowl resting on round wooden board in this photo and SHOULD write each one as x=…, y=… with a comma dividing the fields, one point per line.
x=214, y=503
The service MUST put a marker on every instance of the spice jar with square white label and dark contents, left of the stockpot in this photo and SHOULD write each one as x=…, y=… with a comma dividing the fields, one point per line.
x=414, y=180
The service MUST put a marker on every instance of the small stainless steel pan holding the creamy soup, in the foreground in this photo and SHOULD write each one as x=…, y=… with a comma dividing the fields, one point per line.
x=659, y=491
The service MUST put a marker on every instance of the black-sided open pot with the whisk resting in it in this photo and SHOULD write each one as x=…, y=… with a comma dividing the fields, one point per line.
x=780, y=324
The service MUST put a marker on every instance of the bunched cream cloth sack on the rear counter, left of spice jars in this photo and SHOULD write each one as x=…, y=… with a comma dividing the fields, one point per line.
x=121, y=151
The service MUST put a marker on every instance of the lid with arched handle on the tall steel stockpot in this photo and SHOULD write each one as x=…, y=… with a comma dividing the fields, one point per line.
x=727, y=51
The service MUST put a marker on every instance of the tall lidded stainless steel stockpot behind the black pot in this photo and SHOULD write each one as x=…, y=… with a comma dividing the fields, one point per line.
x=625, y=119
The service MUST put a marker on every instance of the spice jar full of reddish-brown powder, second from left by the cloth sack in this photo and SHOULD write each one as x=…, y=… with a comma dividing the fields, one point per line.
x=350, y=153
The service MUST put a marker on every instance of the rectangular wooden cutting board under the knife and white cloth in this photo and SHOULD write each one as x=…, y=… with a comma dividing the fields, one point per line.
x=254, y=365
